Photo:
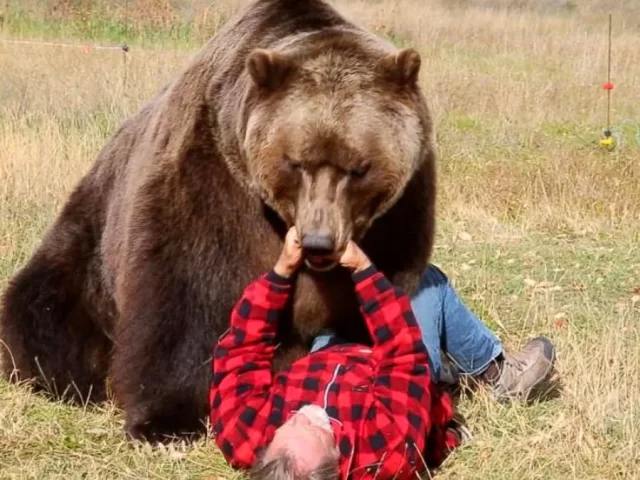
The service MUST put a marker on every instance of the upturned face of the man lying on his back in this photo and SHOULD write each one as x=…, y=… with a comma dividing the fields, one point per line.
x=308, y=441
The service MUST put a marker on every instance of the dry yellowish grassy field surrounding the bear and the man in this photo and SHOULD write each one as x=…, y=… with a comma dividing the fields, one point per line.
x=537, y=226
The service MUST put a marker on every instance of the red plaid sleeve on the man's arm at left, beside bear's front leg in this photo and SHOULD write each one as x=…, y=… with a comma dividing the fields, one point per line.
x=239, y=396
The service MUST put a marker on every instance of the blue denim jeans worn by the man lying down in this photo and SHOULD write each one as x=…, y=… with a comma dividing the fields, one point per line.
x=447, y=326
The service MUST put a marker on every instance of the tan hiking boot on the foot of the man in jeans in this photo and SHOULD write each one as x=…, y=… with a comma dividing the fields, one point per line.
x=518, y=374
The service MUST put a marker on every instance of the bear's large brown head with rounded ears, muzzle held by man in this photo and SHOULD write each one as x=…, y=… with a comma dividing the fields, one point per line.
x=334, y=129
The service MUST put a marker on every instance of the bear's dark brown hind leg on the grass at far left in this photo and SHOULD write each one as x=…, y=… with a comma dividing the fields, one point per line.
x=49, y=335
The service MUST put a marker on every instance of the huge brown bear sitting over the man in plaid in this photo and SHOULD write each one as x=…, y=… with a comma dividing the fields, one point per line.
x=290, y=115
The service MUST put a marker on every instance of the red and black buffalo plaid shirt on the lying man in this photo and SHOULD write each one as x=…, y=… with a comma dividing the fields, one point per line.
x=391, y=419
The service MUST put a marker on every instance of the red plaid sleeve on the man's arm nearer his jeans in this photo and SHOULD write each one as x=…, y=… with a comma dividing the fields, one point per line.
x=407, y=414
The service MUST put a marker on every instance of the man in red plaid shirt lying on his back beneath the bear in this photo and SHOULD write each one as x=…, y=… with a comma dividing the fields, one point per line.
x=391, y=419
